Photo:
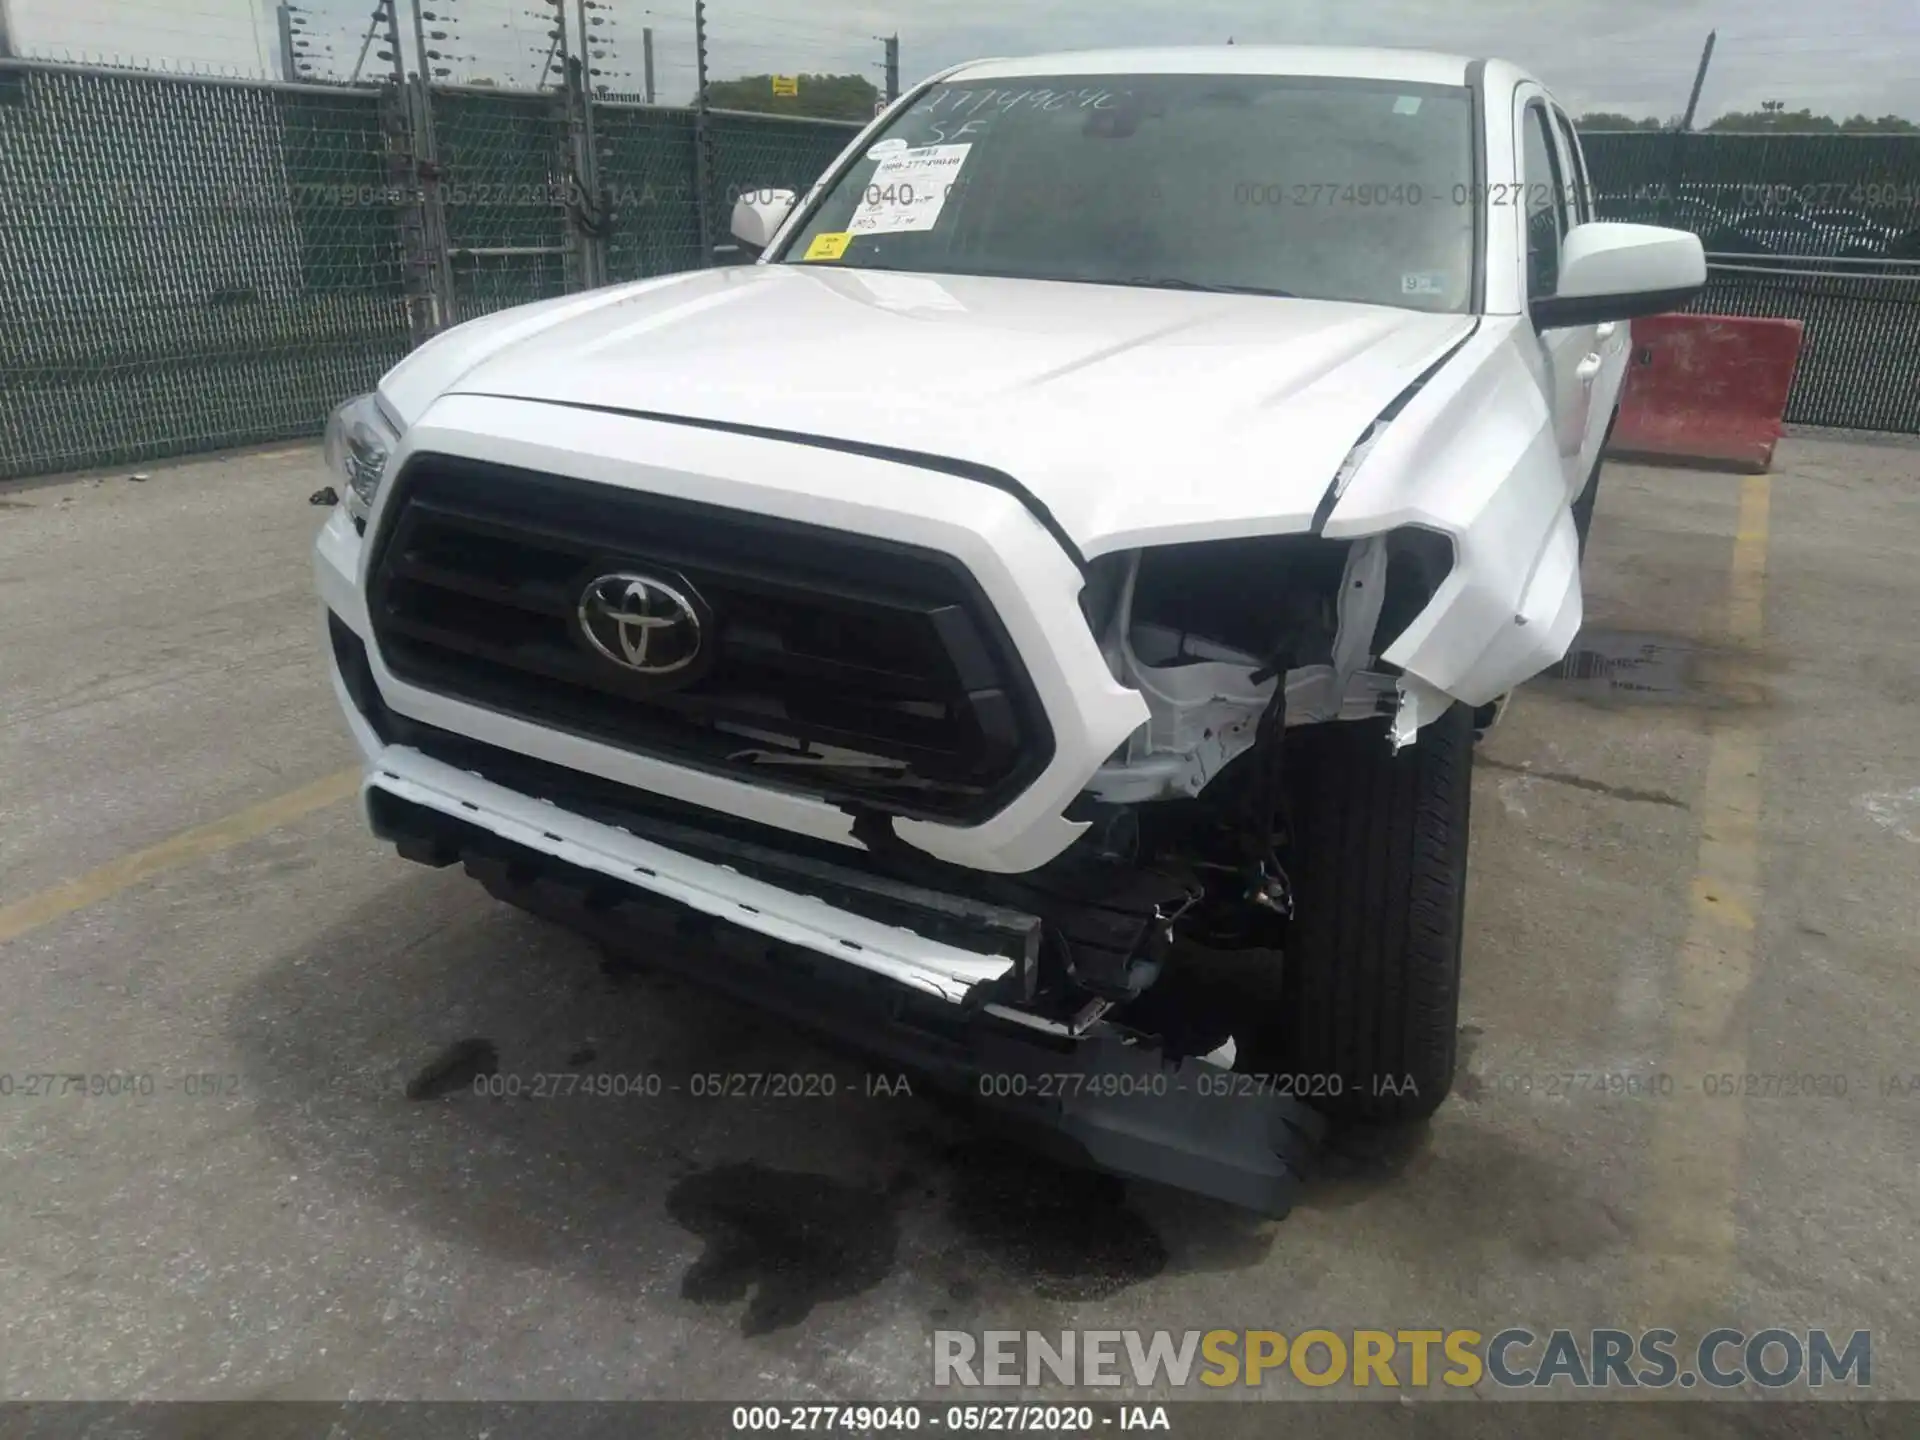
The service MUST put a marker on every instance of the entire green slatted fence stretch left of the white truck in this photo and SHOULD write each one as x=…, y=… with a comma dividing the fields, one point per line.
x=193, y=264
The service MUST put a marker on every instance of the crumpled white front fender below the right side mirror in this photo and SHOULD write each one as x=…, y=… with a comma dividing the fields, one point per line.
x=1474, y=456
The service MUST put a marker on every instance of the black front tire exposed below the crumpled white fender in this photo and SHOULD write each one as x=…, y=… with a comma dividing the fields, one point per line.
x=1370, y=980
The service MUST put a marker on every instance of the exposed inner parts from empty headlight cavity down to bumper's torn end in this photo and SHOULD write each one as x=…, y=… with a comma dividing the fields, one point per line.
x=1234, y=646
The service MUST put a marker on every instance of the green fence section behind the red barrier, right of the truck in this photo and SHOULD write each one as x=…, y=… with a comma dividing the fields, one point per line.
x=1813, y=228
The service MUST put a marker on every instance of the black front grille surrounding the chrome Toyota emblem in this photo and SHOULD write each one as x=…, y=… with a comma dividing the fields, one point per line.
x=813, y=640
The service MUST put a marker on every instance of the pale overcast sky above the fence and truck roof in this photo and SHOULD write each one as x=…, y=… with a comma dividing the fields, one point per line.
x=1635, y=57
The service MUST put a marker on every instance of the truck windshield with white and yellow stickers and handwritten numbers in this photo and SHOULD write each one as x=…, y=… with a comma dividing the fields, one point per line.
x=1332, y=189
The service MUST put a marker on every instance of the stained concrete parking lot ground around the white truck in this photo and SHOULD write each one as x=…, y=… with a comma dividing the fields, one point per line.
x=1700, y=859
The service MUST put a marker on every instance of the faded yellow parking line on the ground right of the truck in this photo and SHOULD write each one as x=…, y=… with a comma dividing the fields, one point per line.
x=1694, y=1155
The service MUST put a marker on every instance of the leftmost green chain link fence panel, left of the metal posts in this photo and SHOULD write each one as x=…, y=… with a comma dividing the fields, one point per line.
x=187, y=264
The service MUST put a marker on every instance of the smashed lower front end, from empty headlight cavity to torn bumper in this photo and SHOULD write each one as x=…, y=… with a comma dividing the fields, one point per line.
x=1078, y=996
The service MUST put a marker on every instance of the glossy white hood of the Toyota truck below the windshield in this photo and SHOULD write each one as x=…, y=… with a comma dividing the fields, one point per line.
x=1134, y=416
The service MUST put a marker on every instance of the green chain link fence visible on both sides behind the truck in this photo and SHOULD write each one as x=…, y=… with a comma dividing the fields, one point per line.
x=191, y=264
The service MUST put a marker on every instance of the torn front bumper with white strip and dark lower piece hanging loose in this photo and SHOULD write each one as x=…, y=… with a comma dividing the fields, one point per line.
x=1093, y=1093
